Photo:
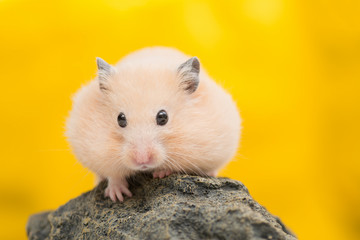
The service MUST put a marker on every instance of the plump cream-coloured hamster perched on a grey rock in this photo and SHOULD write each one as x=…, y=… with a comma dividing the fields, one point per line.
x=155, y=111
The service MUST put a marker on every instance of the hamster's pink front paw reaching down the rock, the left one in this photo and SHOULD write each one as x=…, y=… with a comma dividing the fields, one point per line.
x=115, y=189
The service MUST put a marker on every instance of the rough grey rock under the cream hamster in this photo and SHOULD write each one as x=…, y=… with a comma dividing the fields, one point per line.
x=176, y=207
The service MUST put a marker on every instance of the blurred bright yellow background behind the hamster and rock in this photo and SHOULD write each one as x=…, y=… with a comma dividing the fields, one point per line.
x=293, y=67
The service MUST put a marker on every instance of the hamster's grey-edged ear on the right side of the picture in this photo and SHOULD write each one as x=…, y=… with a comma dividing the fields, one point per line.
x=189, y=74
